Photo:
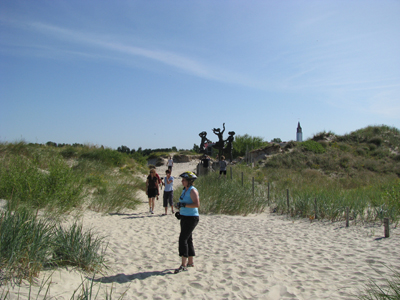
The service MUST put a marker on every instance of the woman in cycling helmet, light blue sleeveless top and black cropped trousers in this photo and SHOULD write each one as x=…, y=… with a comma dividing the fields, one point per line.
x=188, y=205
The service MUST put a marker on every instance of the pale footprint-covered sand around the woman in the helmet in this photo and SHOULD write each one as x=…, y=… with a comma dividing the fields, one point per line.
x=262, y=256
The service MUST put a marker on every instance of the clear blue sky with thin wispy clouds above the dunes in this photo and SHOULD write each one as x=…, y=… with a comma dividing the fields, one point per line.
x=154, y=74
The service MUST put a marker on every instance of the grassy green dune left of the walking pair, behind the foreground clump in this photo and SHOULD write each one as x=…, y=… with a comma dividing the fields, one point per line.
x=61, y=180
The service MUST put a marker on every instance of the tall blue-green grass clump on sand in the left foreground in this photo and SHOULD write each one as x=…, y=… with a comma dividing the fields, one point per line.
x=29, y=244
